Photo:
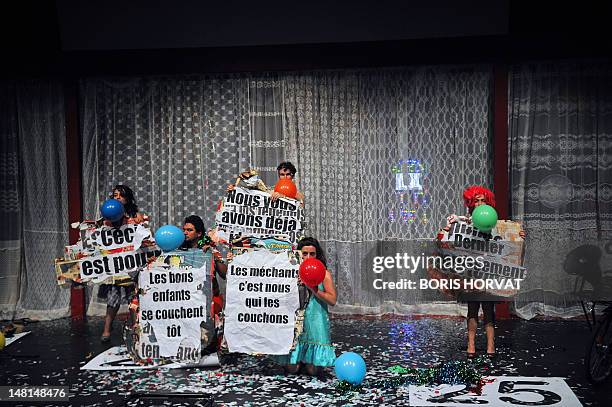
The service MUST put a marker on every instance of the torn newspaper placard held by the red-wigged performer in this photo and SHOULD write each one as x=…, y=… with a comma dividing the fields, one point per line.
x=498, y=267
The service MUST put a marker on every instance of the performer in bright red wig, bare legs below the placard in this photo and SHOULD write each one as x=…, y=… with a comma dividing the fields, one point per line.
x=474, y=197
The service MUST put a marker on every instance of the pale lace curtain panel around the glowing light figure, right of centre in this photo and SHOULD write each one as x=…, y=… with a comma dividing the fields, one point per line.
x=349, y=130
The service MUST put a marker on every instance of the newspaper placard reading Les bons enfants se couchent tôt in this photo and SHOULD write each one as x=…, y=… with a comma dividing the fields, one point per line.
x=173, y=303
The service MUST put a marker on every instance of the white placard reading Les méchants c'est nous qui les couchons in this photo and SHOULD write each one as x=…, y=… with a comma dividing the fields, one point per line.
x=262, y=300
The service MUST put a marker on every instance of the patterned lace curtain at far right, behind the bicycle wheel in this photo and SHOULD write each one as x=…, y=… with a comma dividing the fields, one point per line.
x=560, y=164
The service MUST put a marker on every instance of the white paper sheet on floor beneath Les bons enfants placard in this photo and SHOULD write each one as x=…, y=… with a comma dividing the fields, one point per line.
x=117, y=358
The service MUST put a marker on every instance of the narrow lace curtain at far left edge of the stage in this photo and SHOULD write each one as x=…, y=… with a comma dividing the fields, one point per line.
x=33, y=203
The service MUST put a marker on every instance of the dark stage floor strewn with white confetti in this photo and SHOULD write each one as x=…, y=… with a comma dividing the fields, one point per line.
x=55, y=351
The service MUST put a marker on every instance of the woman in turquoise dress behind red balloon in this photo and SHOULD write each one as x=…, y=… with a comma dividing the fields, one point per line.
x=314, y=348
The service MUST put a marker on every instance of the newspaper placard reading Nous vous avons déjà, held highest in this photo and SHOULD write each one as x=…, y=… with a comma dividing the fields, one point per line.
x=253, y=213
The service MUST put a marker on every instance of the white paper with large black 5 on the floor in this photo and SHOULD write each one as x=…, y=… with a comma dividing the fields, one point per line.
x=504, y=391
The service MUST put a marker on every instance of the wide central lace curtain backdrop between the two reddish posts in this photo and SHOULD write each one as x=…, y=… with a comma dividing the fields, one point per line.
x=178, y=142
